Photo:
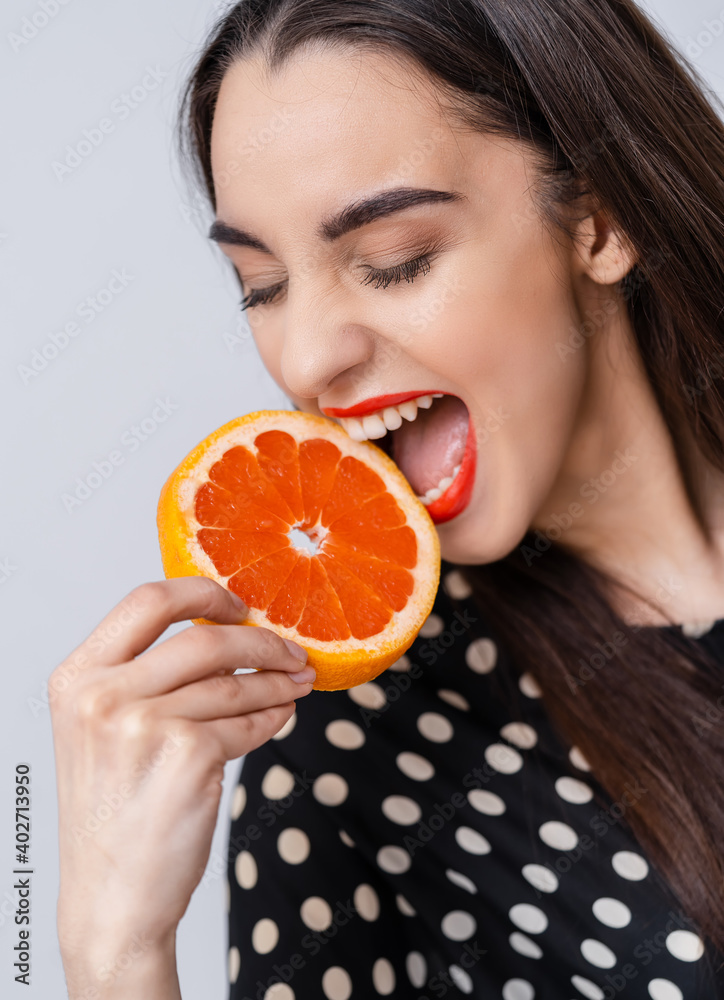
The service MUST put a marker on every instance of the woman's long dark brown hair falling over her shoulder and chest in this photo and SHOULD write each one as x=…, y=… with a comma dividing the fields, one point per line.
x=612, y=112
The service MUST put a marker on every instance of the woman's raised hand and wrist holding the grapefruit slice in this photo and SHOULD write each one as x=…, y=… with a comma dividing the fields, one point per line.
x=141, y=737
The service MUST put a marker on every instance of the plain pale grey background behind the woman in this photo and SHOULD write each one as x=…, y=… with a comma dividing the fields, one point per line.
x=172, y=332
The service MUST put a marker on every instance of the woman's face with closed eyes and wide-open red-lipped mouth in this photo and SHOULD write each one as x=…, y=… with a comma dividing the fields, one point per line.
x=483, y=320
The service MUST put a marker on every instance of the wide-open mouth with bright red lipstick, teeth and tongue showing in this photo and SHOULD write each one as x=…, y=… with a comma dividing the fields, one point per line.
x=429, y=440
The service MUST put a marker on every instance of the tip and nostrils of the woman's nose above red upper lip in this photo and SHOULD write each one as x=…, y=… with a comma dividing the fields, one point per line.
x=321, y=344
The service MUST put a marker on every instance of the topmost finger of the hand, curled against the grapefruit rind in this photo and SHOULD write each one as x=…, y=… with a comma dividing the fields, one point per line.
x=147, y=611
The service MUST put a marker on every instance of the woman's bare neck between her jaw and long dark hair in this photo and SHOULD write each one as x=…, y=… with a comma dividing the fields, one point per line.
x=632, y=511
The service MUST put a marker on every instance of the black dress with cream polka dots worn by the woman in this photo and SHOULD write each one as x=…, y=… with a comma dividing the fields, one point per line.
x=426, y=835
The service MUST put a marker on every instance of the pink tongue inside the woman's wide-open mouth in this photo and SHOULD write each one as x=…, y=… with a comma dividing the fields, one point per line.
x=428, y=449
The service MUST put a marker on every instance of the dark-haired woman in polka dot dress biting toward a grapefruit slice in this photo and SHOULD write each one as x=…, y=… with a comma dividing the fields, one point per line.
x=529, y=804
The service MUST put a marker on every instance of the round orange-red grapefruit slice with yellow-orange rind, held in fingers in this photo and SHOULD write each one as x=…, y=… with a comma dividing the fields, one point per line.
x=320, y=535
